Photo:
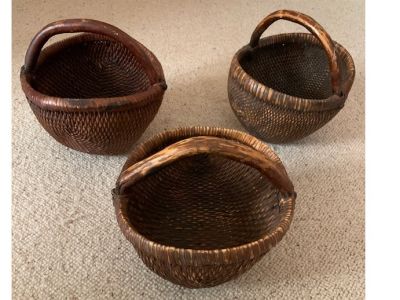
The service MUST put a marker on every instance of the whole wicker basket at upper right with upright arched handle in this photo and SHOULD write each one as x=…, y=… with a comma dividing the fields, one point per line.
x=285, y=87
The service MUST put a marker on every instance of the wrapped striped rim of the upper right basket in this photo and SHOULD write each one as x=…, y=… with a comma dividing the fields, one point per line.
x=277, y=98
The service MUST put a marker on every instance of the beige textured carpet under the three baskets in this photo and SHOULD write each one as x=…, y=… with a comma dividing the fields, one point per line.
x=66, y=242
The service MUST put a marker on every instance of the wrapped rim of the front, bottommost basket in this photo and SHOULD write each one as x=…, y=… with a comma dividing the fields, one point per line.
x=187, y=256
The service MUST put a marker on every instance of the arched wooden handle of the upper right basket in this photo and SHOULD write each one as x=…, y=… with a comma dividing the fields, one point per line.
x=313, y=27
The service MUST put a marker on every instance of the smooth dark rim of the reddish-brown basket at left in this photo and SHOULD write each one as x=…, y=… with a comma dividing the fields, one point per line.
x=55, y=103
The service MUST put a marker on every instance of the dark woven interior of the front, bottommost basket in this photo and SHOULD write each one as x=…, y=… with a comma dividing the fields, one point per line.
x=204, y=202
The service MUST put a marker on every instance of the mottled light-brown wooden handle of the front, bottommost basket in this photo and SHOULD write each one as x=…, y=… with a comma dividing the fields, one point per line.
x=205, y=144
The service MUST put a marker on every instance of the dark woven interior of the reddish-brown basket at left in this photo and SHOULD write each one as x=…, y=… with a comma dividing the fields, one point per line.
x=92, y=68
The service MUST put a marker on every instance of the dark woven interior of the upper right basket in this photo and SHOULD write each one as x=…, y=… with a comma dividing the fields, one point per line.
x=299, y=69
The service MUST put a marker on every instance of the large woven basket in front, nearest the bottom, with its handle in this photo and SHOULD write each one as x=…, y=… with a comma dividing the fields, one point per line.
x=203, y=205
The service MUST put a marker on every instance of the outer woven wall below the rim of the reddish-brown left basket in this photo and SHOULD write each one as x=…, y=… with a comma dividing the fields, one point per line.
x=97, y=132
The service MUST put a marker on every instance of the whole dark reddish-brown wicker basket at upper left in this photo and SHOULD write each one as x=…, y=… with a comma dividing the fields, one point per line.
x=95, y=92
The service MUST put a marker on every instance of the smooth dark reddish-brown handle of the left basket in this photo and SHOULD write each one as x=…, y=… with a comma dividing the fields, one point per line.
x=90, y=26
